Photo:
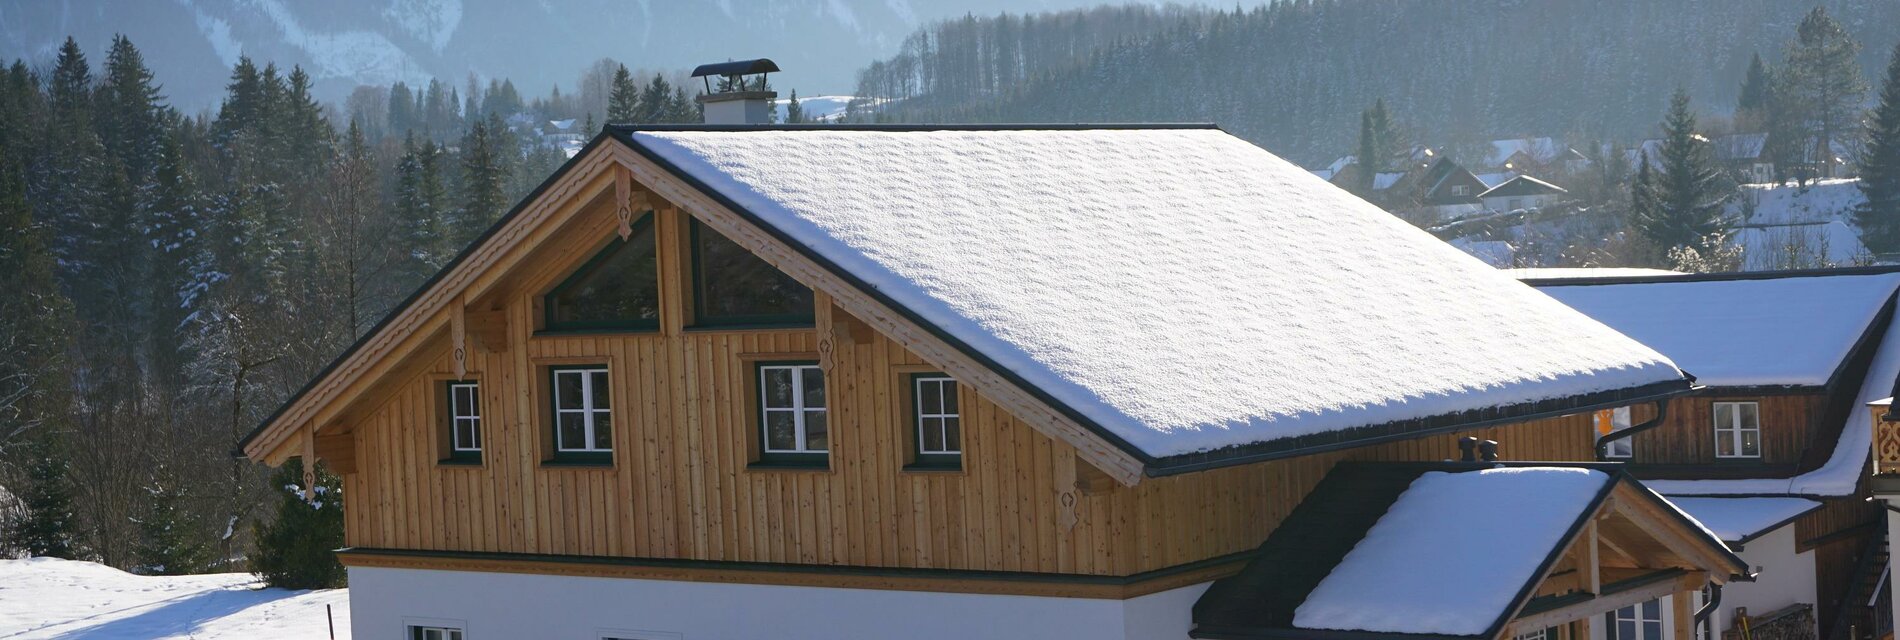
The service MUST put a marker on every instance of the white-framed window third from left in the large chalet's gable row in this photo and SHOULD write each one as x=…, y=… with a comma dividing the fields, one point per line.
x=791, y=413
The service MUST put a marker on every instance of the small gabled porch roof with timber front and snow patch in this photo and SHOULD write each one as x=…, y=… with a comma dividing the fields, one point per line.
x=1462, y=552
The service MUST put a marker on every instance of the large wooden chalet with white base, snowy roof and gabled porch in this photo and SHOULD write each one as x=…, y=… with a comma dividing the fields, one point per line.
x=983, y=383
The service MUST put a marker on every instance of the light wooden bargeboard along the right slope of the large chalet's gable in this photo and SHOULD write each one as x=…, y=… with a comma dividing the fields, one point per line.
x=1006, y=394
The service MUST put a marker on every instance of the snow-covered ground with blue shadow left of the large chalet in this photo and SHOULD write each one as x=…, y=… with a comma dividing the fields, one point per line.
x=64, y=599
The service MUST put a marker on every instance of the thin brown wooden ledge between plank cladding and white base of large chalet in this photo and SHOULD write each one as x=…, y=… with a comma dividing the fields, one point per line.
x=814, y=569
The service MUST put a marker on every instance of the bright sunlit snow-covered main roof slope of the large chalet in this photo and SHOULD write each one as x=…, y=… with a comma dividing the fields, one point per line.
x=1177, y=288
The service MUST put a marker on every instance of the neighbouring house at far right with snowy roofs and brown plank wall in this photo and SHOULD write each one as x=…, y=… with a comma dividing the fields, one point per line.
x=1770, y=451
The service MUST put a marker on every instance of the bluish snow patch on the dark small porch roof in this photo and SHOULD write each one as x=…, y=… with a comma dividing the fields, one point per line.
x=1466, y=542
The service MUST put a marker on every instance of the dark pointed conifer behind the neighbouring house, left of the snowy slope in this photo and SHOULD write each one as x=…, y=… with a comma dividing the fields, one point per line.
x=1688, y=191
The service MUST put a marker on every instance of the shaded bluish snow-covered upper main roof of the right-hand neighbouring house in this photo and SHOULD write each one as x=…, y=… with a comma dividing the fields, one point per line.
x=1777, y=331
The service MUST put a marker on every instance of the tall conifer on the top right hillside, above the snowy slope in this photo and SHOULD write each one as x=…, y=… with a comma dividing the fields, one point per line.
x=1823, y=85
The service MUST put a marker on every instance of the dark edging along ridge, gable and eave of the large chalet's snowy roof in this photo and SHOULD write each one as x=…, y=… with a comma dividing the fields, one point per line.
x=1154, y=466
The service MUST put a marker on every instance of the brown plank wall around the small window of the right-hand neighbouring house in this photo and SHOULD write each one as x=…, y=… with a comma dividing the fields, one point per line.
x=1688, y=436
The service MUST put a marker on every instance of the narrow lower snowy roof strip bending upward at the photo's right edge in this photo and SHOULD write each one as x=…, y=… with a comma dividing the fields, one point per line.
x=1846, y=466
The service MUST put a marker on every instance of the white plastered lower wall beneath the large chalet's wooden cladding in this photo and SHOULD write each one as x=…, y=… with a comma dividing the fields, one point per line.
x=385, y=601
